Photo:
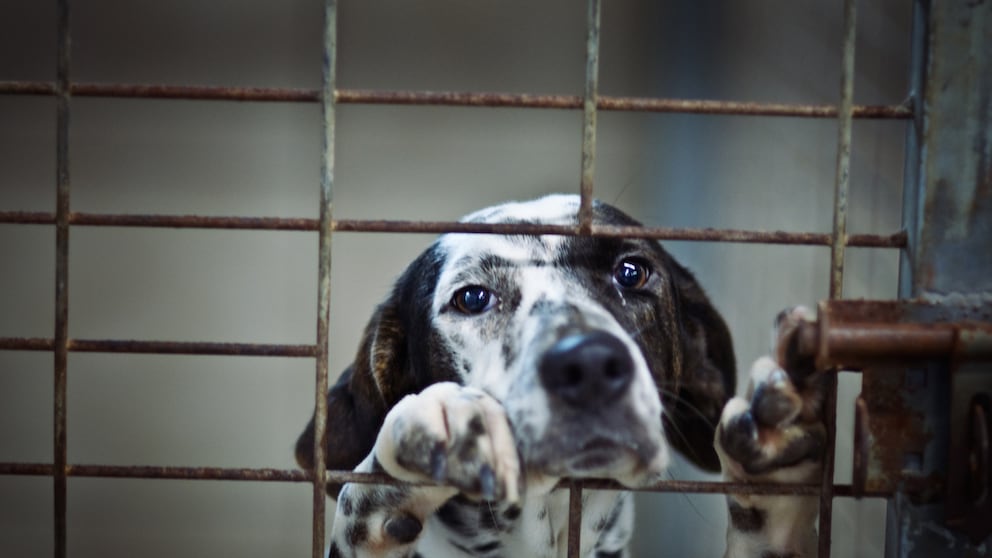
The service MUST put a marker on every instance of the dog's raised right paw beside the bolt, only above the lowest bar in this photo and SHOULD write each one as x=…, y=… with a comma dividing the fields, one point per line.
x=776, y=432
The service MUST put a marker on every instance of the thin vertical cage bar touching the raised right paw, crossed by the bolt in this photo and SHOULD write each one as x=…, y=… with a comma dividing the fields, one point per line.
x=838, y=242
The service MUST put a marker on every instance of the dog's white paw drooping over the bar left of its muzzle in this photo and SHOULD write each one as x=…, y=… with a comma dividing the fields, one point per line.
x=454, y=435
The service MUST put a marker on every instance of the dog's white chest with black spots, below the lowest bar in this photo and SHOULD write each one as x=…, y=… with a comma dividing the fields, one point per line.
x=538, y=528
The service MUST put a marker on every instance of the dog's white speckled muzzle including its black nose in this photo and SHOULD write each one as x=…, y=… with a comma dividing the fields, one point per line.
x=588, y=408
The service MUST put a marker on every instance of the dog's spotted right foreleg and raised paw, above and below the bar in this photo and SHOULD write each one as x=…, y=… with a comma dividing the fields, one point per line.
x=775, y=434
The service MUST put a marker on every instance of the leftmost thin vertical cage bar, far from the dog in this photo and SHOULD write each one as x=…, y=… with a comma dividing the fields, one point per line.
x=61, y=341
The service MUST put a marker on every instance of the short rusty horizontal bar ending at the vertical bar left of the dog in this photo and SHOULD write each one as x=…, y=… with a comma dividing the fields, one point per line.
x=160, y=347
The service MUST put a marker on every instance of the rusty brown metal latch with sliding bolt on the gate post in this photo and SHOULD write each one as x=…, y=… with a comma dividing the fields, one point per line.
x=924, y=416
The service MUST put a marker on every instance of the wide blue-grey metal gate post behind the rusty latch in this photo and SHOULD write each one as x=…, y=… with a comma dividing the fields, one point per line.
x=948, y=217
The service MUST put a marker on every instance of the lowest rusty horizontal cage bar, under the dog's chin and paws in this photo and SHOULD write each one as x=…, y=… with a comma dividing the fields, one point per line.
x=340, y=477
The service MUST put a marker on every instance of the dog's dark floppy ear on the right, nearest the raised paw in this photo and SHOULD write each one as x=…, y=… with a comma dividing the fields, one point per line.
x=705, y=371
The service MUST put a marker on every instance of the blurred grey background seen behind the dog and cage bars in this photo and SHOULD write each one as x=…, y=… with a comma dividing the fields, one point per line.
x=228, y=158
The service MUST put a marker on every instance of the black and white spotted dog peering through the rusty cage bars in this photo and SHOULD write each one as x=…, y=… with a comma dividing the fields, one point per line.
x=502, y=364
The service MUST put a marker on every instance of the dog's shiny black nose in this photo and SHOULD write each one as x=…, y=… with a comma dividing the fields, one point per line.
x=587, y=369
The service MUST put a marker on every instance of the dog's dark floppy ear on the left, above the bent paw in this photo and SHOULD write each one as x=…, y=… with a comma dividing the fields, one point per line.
x=390, y=364
